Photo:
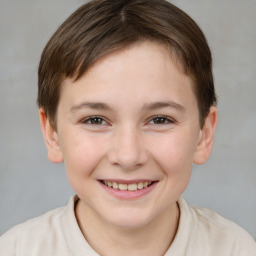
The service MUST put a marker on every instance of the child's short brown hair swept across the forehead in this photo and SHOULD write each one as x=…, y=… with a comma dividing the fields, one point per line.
x=102, y=26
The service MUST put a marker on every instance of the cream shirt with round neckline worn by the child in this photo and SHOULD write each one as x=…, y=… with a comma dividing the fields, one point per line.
x=201, y=232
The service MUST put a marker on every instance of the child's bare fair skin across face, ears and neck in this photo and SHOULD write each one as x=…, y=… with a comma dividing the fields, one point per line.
x=127, y=91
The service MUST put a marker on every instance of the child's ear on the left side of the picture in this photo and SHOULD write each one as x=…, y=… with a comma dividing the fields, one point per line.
x=51, y=139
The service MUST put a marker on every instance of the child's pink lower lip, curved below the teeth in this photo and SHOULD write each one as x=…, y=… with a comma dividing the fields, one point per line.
x=126, y=194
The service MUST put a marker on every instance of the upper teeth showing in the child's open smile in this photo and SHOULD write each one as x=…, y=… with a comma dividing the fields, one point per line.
x=127, y=186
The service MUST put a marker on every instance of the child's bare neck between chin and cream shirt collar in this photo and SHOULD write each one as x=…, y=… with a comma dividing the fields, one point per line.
x=106, y=239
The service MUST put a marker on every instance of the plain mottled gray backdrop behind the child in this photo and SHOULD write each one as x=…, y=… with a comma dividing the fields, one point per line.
x=30, y=185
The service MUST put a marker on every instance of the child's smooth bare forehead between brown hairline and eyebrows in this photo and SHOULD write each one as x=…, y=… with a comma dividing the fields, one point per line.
x=145, y=71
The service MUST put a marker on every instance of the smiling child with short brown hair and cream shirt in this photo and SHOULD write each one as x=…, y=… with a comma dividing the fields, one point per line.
x=126, y=99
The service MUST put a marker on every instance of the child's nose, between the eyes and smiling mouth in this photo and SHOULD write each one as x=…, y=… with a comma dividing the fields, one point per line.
x=127, y=150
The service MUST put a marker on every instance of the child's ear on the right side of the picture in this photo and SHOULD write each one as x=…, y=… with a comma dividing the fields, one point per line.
x=205, y=142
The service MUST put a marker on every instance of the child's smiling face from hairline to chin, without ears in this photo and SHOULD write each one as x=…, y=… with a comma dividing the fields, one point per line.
x=128, y=132
